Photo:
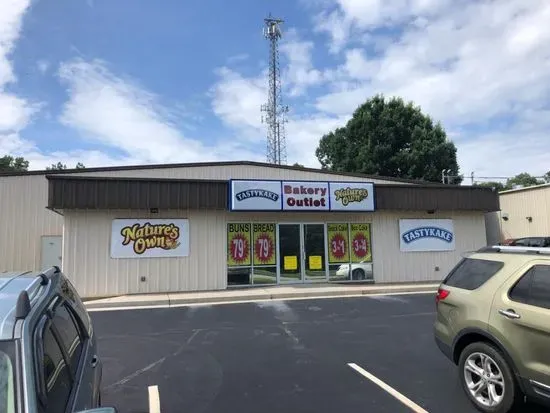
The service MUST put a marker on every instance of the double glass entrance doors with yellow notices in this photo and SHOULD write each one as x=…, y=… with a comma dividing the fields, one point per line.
x=302, y=253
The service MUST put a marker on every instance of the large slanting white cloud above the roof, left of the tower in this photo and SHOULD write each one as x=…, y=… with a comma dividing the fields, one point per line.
x=119, y=113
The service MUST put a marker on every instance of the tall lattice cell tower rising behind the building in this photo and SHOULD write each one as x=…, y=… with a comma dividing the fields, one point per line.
x=275, y=111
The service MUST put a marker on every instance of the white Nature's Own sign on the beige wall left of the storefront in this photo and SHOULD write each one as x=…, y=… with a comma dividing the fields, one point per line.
x=149, y=238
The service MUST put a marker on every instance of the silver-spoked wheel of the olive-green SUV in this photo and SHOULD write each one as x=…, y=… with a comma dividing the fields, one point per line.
x=487, y=379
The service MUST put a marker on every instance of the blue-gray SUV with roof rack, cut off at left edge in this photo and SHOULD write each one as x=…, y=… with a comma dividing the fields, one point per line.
x=48, y=351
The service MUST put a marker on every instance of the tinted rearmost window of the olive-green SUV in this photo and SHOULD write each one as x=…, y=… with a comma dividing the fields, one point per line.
x=472, y=273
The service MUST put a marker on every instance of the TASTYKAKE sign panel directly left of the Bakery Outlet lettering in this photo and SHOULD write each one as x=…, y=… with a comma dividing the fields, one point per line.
x=255, y=195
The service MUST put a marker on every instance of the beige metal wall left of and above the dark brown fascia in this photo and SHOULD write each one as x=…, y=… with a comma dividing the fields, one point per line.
x=25, y=219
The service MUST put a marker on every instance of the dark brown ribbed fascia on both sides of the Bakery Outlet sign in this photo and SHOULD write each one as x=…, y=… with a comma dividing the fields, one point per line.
x=71, y=192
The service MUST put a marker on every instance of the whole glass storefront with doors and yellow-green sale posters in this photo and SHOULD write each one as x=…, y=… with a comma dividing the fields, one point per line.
x=269, y=253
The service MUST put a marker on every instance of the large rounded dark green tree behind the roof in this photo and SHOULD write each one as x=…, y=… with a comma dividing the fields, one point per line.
x=391, y=138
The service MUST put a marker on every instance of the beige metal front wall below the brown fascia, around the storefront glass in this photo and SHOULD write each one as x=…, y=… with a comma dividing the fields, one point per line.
x=88, y=263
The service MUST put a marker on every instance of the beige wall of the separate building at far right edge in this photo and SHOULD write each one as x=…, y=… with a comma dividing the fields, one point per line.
x=523, y=203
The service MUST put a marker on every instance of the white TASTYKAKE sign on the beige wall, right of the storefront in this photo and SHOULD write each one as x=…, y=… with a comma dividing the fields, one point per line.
x=426, y=235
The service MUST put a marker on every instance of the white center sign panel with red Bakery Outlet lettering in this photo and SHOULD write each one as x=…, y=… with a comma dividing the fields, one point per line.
x=305, y=196
